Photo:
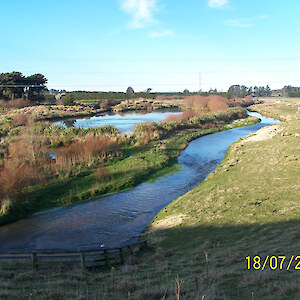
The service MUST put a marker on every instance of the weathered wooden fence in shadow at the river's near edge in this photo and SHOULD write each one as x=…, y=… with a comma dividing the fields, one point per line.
x=86, y=258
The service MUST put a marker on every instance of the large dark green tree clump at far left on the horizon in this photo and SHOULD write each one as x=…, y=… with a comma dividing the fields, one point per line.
x=15, y=85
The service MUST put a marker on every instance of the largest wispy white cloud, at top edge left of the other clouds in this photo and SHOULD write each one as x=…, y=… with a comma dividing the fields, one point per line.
x=142, y=11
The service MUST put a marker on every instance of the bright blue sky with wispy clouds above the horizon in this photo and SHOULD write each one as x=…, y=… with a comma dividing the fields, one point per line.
x=167, y=45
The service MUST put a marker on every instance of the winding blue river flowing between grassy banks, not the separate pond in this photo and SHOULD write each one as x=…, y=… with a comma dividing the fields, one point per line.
x=119, y=219
